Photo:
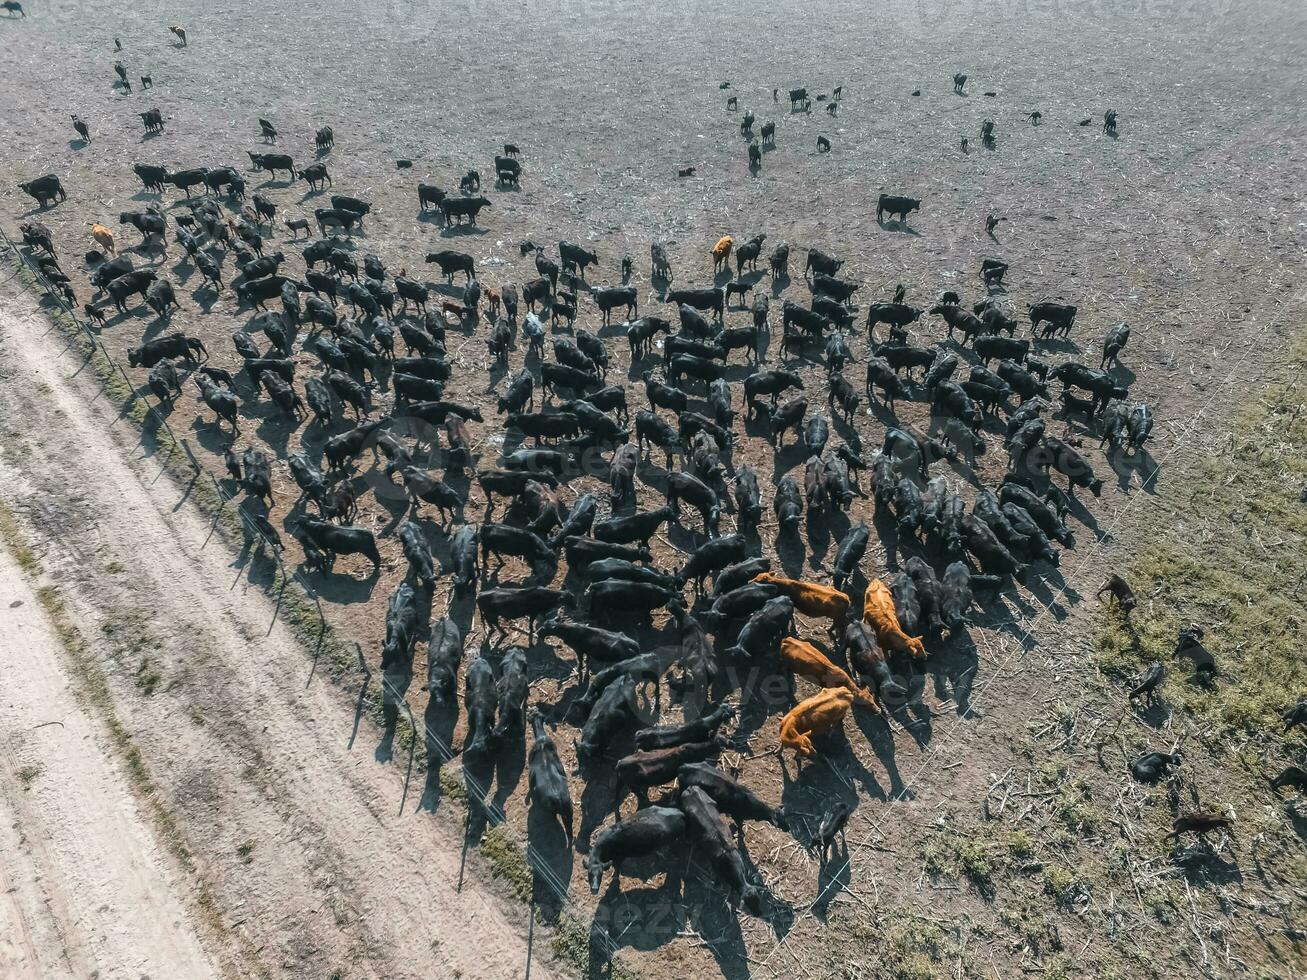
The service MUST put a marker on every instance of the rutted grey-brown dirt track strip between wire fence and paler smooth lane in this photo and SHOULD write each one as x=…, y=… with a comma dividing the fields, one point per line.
x=296, y=836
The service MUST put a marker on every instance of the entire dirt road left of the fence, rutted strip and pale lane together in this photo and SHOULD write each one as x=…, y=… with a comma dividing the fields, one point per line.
x=293, y=834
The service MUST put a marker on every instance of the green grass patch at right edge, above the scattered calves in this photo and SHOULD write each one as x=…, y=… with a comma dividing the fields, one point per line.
x=1234, y=564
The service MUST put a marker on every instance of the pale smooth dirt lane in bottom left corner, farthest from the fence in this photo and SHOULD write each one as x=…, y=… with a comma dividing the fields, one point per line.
x=86, y=888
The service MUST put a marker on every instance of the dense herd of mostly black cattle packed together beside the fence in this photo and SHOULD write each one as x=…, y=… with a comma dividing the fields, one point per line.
x=348, y=336
